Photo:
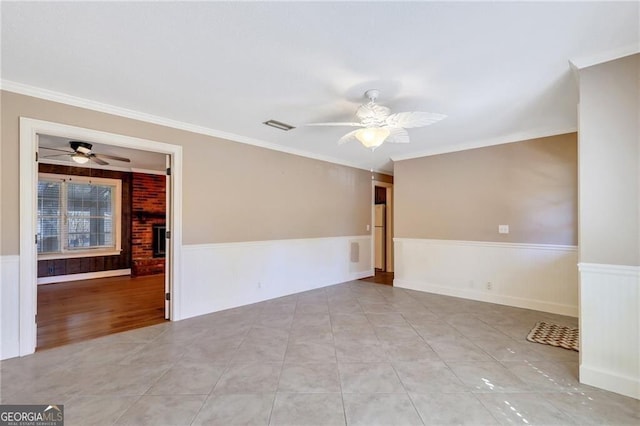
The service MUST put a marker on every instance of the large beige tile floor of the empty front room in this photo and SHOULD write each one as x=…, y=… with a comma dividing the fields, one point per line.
x=356, y=353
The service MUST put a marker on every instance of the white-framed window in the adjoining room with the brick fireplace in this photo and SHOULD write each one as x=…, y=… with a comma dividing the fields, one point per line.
x=78, y=216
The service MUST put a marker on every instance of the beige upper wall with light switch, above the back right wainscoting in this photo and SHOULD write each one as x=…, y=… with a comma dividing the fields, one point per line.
x=530, y=186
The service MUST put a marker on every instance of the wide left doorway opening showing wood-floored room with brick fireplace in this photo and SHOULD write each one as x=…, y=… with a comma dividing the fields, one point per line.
x=83, y=210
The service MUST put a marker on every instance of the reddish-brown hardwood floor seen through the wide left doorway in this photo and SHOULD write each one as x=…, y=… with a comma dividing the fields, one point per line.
x=81, y=310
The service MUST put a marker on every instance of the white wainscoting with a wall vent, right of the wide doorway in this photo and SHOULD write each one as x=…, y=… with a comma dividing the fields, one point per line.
x=222, y=276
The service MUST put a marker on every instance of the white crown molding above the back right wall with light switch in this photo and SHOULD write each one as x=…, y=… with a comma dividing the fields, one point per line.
x=500, y=140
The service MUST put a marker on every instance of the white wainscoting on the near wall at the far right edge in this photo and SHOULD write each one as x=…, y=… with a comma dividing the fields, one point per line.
x=610, y=327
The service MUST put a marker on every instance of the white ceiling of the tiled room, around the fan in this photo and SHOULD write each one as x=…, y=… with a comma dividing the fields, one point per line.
x=499, y=70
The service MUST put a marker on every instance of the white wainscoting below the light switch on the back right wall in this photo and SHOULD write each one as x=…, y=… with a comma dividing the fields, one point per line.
x=533, y=276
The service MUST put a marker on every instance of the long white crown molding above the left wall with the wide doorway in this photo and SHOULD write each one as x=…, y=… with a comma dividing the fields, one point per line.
x=63, y=98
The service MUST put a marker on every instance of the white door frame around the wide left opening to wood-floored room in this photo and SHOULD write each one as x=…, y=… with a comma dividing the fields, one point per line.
x=29, y=131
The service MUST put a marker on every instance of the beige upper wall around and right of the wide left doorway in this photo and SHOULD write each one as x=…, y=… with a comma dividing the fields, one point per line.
x=232, y=191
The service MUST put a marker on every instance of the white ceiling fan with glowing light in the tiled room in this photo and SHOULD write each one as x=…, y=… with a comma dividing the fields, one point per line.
x=378, y=125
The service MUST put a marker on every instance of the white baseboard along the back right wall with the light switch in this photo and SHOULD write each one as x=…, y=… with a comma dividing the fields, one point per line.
x=519, y=302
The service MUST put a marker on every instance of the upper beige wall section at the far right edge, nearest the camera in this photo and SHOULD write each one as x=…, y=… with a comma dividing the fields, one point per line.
x=610, y=162
